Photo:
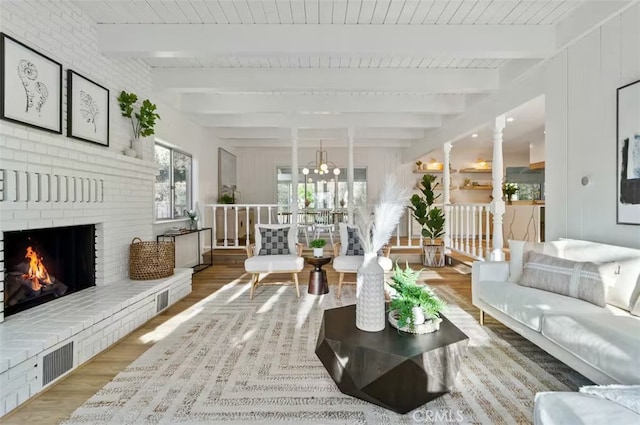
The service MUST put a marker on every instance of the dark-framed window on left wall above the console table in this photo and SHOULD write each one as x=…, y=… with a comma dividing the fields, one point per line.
x=173, y=183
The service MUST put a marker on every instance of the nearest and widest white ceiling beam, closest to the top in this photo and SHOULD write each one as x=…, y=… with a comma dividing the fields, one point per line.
x=459, y=41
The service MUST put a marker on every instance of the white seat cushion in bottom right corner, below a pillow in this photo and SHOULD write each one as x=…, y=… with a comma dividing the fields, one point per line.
x=565, y=408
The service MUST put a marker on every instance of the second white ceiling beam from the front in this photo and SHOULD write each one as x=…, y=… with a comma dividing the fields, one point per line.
x=431, y=80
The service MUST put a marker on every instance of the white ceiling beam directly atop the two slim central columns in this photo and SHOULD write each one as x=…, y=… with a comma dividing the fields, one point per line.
x=337, y=135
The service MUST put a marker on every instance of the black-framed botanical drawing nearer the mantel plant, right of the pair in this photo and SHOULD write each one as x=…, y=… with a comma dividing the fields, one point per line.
x=87, y=109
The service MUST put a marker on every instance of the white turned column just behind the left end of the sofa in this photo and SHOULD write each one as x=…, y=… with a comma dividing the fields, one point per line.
x=497, y=204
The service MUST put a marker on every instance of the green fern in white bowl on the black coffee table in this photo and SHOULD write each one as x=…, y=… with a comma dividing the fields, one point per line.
x=413, y=308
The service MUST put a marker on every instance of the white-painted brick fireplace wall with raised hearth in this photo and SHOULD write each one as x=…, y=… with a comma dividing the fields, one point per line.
x=49, y=180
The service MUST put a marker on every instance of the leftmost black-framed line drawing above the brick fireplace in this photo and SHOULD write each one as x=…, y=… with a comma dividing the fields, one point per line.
x=31, y=86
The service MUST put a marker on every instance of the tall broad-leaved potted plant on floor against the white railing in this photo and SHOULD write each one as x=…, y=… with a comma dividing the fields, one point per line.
x=431, y=219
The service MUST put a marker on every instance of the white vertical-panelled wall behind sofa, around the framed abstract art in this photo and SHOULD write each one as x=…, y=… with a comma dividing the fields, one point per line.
x=581, y=83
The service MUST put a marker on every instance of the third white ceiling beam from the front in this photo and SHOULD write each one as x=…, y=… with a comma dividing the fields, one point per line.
x=312, y=102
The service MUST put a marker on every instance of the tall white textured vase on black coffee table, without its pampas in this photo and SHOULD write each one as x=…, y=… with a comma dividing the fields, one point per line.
x=370, y=315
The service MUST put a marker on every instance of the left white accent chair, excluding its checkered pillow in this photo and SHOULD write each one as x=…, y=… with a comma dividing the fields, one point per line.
x=257, y=262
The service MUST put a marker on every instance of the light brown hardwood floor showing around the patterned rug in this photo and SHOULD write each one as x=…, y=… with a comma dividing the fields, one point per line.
x=60, y=400
